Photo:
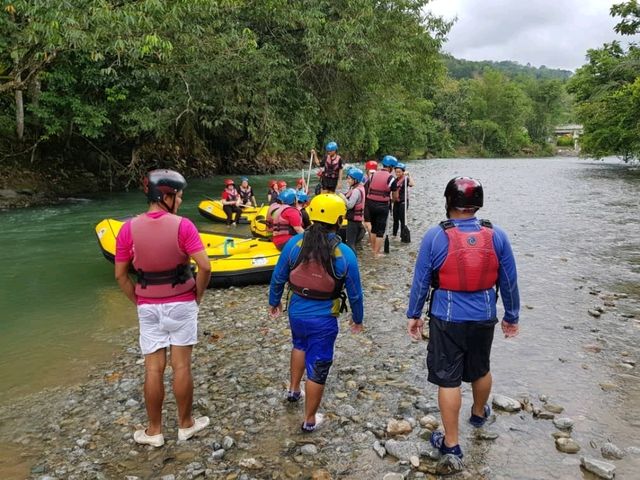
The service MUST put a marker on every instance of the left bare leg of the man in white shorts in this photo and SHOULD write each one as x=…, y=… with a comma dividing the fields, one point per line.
x=154, y=365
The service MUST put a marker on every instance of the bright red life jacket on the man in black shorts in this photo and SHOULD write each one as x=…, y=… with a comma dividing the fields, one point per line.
x=471, y=263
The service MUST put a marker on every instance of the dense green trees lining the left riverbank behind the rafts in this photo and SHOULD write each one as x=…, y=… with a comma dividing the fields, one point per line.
x=95, y=92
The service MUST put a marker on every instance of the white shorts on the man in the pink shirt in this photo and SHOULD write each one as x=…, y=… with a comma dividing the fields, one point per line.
x=165, y=324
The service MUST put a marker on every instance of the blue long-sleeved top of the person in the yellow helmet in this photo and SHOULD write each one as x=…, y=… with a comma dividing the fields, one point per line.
x=344, y=262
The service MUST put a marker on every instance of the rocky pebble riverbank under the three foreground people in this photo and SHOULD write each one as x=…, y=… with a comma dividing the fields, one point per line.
x=378, y=406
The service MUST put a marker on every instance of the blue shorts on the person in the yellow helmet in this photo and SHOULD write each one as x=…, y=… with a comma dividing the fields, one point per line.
x=316, y=337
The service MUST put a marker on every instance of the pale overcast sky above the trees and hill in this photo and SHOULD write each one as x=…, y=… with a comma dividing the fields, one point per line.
x=555, y=33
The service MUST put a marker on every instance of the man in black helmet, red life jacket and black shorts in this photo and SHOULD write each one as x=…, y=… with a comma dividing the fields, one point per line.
x=462, y=265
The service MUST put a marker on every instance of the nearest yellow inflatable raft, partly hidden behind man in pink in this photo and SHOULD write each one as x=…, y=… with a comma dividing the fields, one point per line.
x=235, y=261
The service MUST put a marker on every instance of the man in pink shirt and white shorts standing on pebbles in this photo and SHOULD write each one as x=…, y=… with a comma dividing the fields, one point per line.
x=167, y=298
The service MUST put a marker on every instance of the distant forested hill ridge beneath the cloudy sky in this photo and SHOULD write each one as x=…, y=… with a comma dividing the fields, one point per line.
x=459, y=68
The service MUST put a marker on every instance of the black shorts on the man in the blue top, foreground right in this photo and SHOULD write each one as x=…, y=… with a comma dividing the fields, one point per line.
x=458, y=352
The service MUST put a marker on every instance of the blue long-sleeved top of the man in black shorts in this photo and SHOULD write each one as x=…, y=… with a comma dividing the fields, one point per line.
x=454, y=306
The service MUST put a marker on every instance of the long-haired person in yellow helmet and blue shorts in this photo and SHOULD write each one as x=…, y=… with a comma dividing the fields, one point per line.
x=318, y=267
